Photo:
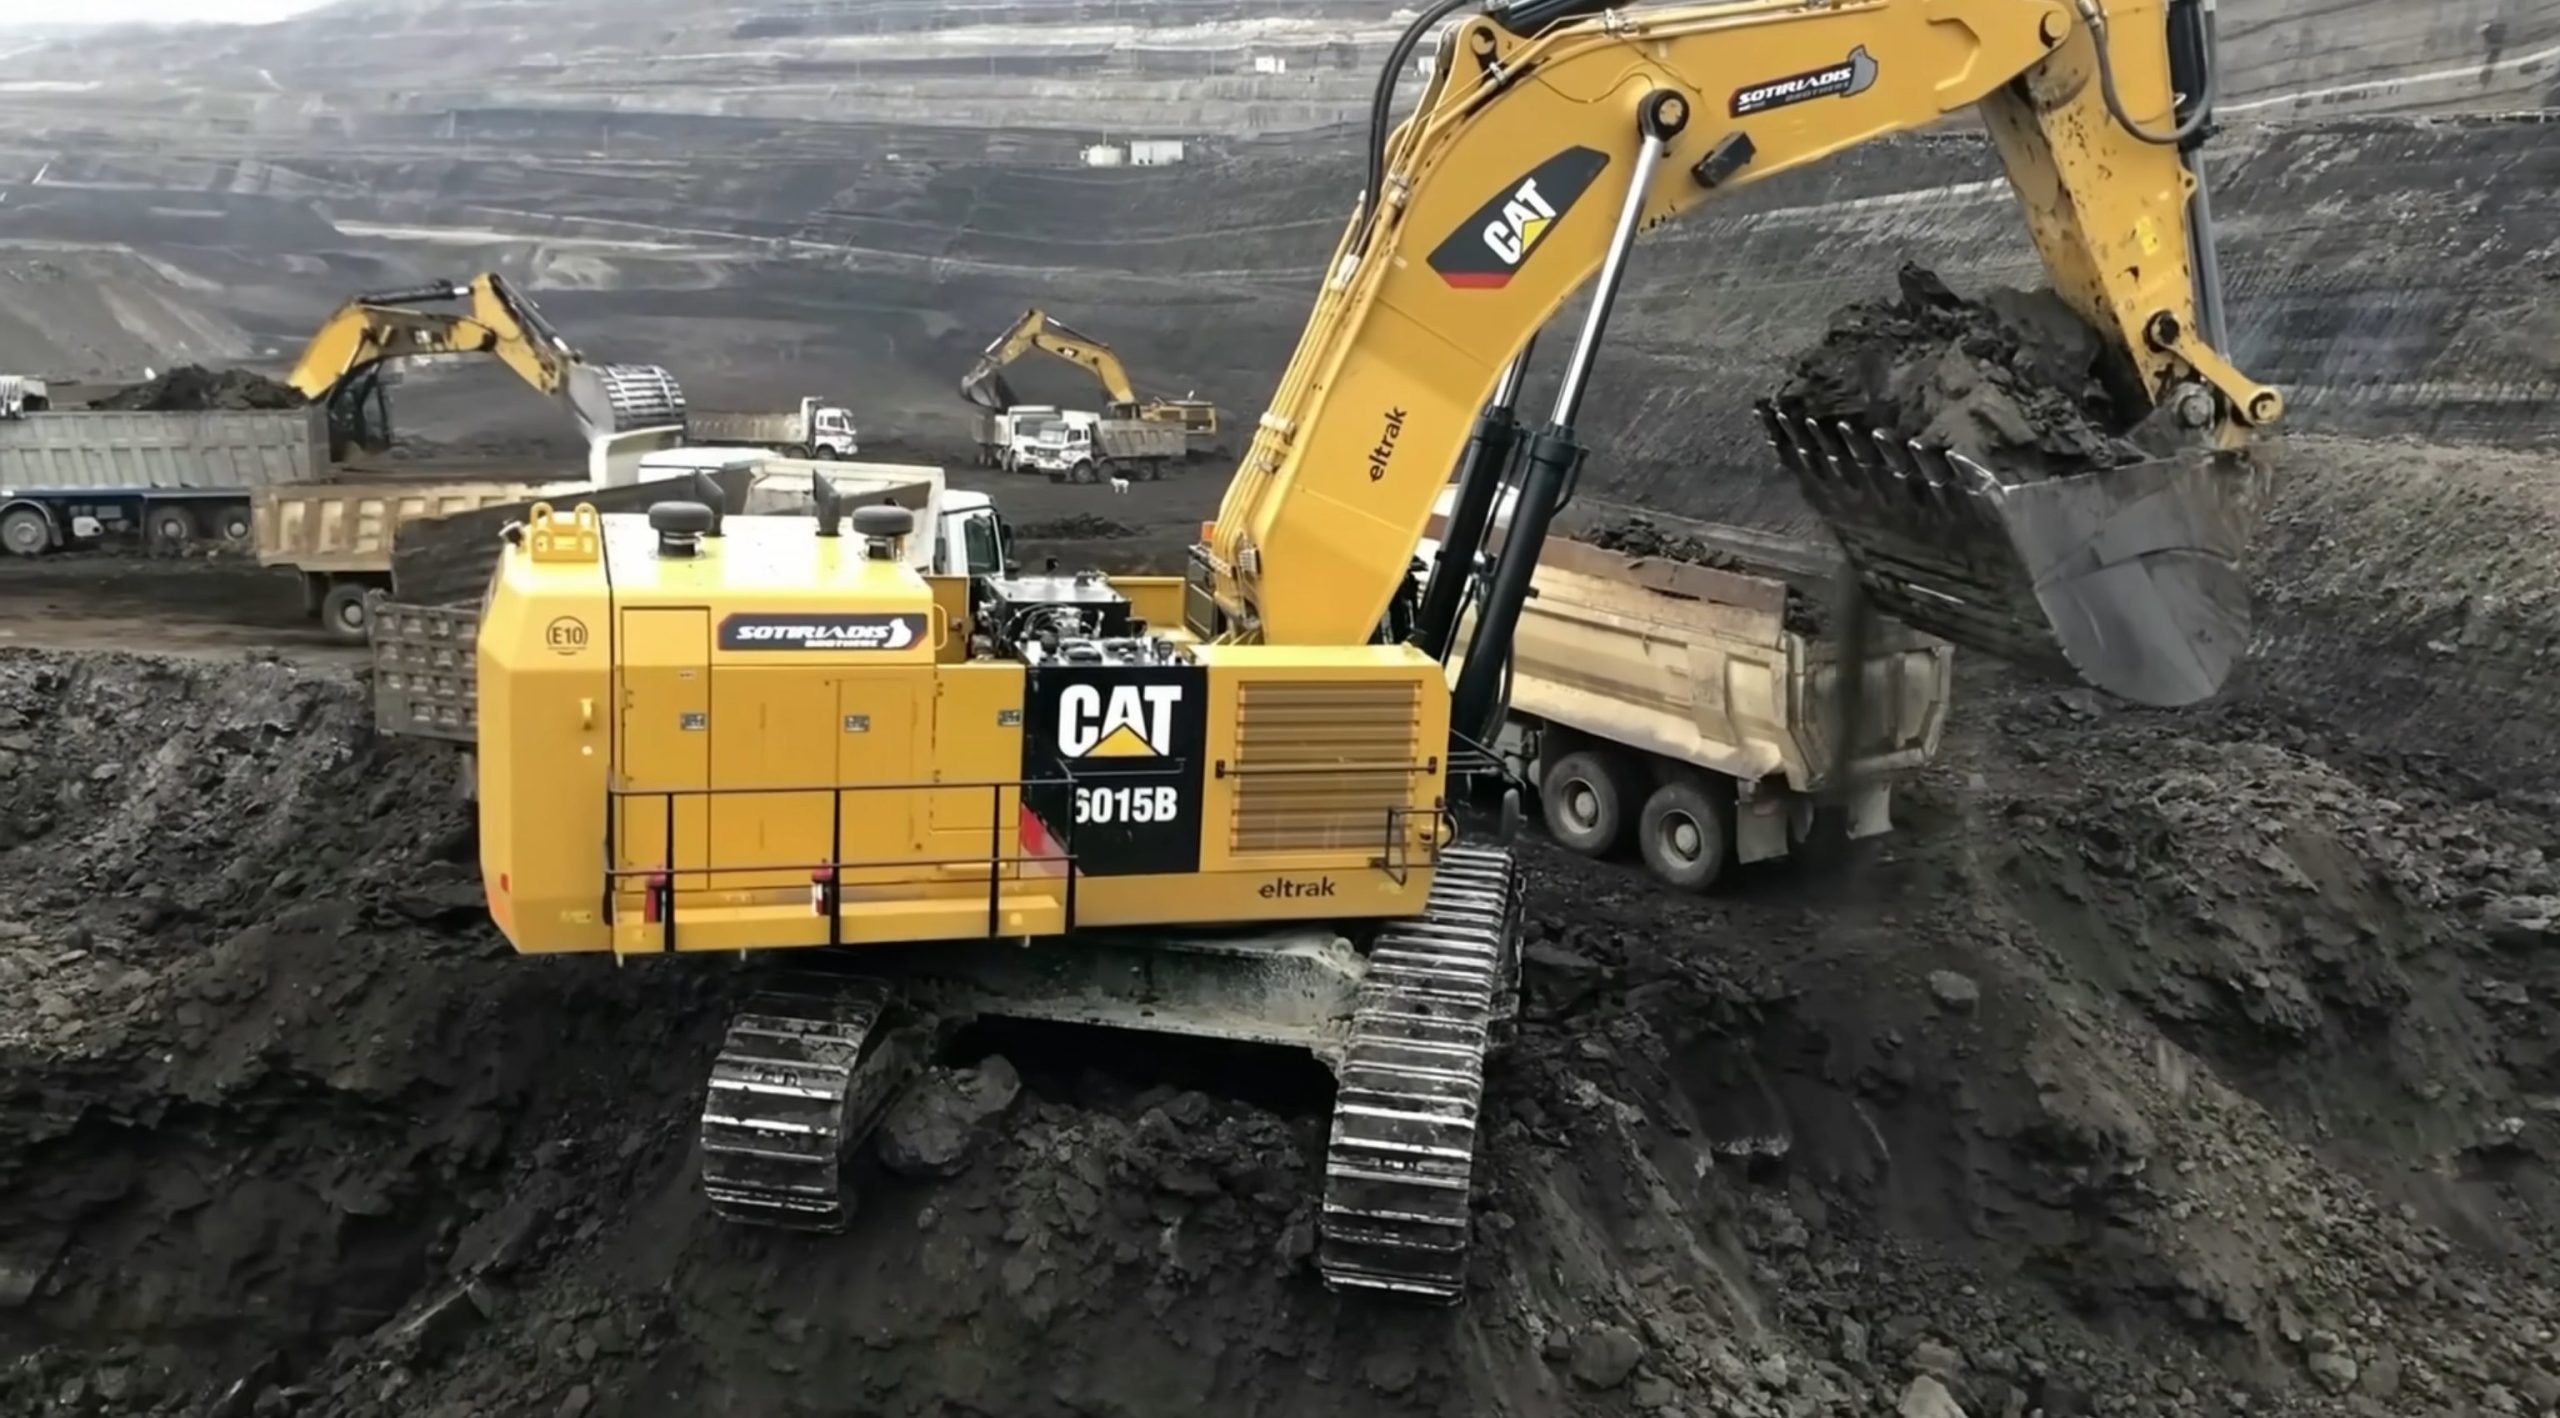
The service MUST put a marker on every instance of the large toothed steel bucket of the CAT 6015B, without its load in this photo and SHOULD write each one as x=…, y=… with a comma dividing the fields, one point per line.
x=2129, y=580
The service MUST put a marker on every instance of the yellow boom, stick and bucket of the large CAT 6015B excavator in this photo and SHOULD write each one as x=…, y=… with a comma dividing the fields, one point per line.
x=1550, y=137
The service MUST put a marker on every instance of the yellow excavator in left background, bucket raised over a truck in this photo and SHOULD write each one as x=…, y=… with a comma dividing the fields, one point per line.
x=347, y=360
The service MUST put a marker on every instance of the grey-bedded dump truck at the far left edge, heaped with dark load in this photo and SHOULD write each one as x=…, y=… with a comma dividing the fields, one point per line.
x=70, y=477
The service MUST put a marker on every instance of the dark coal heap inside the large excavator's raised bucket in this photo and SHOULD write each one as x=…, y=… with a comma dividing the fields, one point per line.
x=2011, y=380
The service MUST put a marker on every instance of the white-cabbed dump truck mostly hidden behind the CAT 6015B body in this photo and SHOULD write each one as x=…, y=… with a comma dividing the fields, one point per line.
x=424, y=669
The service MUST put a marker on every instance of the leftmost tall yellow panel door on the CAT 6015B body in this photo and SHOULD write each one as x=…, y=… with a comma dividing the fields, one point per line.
x=664, y=751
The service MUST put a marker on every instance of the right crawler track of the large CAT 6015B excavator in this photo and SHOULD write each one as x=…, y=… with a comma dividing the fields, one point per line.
x=1412, y=1084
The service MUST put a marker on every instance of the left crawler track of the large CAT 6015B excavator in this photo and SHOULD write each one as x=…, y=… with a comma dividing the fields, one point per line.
x=800, y=1079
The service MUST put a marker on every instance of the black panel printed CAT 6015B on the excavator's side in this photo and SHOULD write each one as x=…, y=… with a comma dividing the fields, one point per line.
x=1133, y=738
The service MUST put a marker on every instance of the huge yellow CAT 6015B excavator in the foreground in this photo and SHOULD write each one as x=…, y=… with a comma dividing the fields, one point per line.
x=1222, y=805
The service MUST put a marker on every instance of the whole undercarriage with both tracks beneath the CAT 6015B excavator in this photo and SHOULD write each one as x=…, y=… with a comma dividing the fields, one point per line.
x=810, y=1066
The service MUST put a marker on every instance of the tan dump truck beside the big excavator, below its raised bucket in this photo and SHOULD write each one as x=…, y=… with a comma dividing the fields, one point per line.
x=1691, y=713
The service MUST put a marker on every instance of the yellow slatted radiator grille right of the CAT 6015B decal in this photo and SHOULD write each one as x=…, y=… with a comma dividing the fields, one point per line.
x=1322, y=764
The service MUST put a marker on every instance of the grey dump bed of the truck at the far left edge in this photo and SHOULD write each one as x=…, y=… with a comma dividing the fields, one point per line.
x=163, y=452
